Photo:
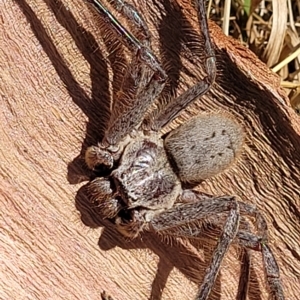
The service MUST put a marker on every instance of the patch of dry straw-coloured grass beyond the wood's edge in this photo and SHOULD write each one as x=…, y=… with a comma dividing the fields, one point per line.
x=271, y=29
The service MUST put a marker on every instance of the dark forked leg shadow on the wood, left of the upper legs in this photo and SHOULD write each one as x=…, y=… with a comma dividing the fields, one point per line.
x=96, y=108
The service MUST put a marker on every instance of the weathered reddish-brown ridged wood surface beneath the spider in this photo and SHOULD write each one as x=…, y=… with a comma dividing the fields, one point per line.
x=55, y=76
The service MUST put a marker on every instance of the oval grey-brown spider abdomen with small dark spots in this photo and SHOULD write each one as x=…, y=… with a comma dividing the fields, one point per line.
x=205, y=146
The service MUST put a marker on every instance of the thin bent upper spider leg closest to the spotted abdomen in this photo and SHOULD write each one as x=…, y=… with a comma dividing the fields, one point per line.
x=173, y=108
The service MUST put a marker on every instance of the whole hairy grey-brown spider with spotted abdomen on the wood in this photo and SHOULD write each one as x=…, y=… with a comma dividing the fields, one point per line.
x=146, y=189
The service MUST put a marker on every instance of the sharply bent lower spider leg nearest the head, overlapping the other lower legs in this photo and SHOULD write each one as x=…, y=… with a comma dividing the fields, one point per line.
x=182, y=220
